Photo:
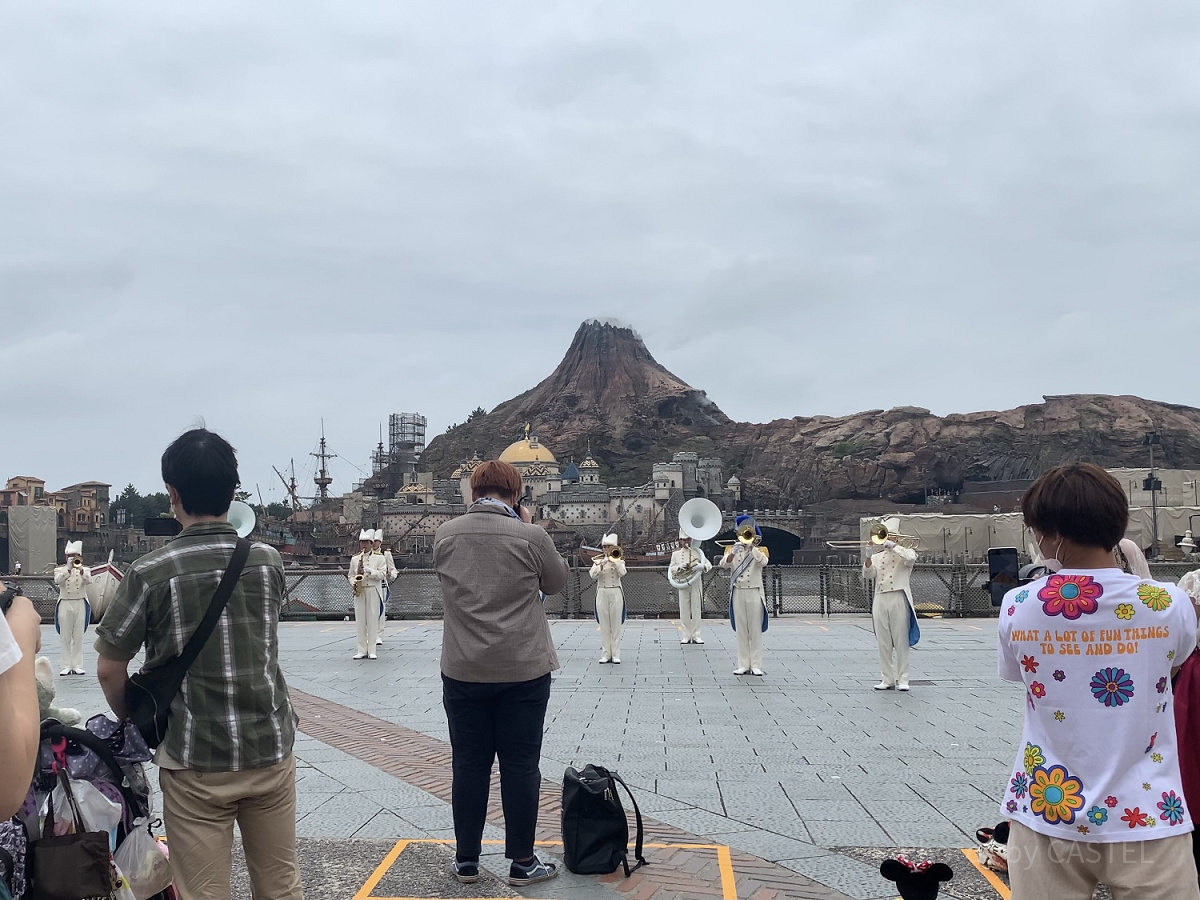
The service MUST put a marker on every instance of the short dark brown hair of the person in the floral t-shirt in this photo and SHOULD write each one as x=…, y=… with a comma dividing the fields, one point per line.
x=1079, y=502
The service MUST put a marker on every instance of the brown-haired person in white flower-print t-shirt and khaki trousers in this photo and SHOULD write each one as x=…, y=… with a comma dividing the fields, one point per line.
x=1095, y=795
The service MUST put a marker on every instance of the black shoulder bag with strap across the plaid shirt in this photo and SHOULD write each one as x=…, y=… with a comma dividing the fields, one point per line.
x=151, y=693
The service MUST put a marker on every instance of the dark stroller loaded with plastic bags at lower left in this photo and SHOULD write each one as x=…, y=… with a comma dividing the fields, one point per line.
x=95, y=778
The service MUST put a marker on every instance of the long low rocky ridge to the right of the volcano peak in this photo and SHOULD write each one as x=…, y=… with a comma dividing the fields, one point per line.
x=898, y=453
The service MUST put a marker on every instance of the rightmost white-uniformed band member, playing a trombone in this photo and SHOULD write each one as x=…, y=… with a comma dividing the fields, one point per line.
x=892, y=614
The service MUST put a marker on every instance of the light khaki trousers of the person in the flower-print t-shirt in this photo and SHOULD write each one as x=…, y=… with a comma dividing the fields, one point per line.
x=1042, y=868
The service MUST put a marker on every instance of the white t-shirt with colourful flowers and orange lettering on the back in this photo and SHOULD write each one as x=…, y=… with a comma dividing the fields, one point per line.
x=1095, y=651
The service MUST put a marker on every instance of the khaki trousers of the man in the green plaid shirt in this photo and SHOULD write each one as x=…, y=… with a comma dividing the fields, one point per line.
x=200, y=809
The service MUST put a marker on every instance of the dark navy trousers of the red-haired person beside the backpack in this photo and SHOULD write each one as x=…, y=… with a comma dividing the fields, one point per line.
x=487, y=722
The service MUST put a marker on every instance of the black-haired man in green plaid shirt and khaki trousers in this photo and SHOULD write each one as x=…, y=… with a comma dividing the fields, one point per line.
x=227, y=755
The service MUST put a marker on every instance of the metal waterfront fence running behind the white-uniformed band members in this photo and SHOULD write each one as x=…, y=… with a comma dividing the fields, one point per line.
x=791, y=590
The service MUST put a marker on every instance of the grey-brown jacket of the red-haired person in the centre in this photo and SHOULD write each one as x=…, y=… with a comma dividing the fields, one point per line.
x=493, y=568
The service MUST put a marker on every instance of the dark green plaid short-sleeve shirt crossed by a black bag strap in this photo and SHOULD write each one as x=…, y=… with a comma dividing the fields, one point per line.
x=233, y=711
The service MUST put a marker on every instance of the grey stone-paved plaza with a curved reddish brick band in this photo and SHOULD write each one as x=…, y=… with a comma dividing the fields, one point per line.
x=807, y=776
